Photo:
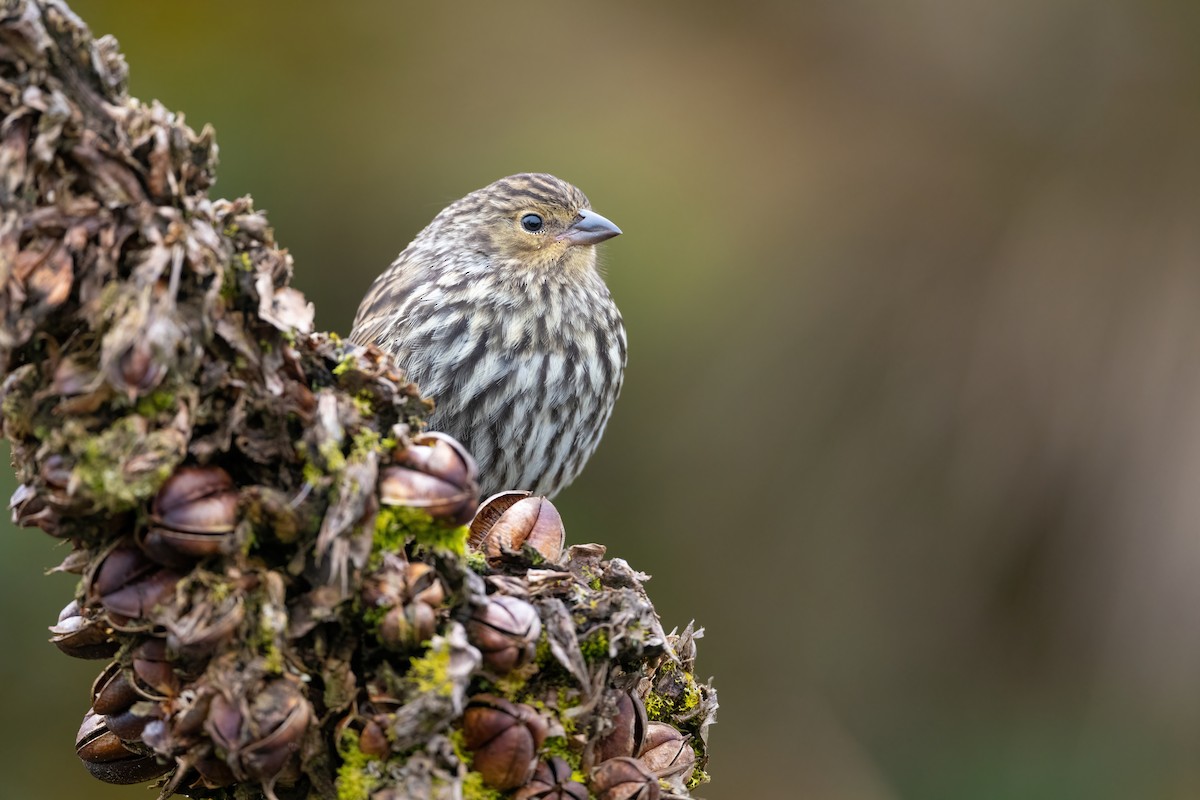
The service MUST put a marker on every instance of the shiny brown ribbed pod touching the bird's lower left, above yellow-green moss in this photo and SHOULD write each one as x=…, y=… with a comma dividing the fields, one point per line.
x=435, y=474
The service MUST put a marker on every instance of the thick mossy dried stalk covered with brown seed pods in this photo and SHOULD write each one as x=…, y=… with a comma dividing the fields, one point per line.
x=287, y=576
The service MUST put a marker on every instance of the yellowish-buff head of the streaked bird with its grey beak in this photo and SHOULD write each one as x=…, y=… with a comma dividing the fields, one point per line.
x=537, y=222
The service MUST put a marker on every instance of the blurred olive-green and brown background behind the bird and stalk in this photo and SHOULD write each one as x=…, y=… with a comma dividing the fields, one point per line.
x=910, y=422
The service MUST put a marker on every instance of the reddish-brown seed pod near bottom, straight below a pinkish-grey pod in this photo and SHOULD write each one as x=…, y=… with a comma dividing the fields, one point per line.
x=505, y=738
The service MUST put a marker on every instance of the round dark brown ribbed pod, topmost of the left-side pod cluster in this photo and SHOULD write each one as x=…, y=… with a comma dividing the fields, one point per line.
x=195, y=514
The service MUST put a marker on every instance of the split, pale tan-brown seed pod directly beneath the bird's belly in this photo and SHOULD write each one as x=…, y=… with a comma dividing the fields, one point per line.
x=530, y=521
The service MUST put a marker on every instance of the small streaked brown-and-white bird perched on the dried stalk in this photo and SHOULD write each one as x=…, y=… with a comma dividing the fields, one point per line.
x=499, y=311
